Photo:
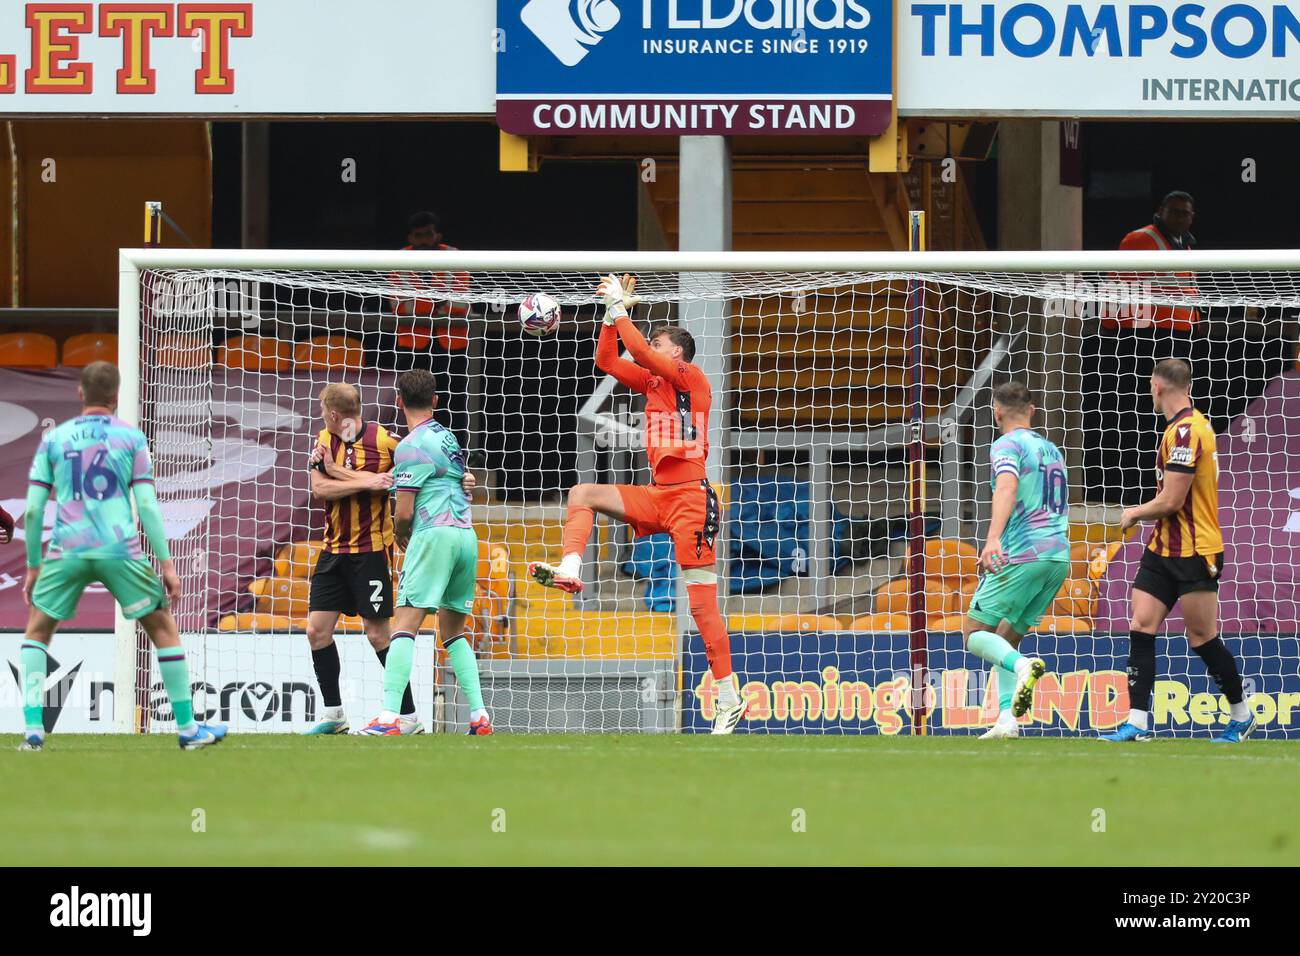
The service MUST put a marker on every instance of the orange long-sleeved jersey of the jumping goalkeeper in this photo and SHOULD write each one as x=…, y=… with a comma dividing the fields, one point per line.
x=678, y=403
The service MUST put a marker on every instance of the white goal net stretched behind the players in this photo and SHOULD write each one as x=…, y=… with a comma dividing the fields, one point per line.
x=851, y=430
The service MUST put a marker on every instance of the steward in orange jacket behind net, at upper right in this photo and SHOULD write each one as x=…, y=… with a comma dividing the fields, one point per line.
x=1124, y=349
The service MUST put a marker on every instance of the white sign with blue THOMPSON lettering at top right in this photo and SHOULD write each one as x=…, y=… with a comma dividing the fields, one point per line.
x=1212, y=59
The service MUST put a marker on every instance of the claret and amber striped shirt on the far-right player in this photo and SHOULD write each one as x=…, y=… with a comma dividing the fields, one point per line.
x=1189, y=448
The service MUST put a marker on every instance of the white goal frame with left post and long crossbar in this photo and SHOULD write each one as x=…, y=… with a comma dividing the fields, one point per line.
x=129, y=700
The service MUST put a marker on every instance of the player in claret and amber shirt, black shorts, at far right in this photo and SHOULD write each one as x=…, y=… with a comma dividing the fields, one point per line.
x=1184, y=560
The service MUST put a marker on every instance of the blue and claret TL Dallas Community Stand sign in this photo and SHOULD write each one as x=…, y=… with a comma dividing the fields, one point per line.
x=695, y=67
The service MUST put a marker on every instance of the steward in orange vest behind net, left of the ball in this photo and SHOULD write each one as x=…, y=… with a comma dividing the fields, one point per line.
x=431, y=331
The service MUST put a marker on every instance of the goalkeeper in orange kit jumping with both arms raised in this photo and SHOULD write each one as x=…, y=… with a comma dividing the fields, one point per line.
x=681, y=500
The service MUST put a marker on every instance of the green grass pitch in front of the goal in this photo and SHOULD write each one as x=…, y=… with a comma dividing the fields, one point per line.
x=587, y=799
